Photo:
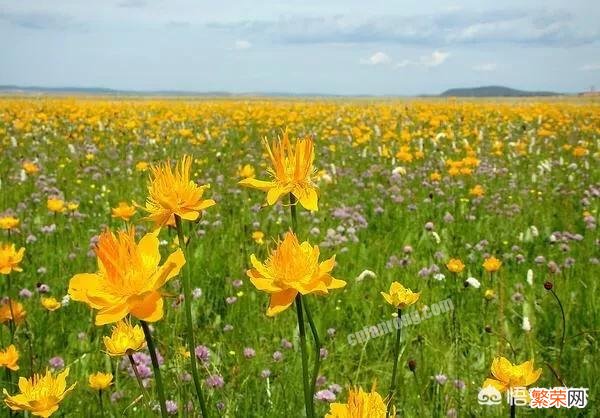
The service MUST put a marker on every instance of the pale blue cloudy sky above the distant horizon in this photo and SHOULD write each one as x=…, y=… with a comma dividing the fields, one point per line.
x=301, y=46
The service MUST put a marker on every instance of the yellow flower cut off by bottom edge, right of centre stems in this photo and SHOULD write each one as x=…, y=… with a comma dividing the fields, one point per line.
x=361, y=404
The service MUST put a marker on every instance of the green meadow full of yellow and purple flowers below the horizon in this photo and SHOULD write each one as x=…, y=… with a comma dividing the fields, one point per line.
x=289, y=258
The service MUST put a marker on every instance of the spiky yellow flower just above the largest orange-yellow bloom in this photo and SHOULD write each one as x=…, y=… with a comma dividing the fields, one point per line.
x=173, y=193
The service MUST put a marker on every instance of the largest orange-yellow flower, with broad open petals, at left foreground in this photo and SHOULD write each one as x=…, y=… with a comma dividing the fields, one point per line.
x=128, y=279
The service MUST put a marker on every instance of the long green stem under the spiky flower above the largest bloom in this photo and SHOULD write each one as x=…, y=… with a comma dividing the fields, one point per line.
x=187, y=296
